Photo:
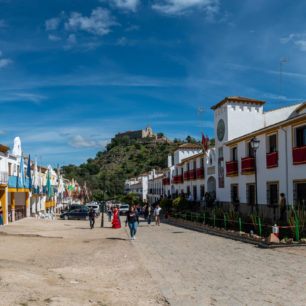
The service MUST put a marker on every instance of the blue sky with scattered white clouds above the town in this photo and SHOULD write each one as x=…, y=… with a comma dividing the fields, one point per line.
x=74, y=73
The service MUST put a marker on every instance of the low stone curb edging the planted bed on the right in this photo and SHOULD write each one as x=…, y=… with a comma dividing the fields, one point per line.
x=236, y=238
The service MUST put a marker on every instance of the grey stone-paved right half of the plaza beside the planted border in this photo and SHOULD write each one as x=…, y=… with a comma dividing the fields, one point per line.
x=193, y=268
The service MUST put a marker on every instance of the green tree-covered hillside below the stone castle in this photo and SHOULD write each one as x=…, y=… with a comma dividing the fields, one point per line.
x=123, y=158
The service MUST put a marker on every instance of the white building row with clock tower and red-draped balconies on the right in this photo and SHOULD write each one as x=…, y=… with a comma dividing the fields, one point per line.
x=228, y=170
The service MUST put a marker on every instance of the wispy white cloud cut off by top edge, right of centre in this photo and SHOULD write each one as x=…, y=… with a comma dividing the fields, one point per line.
x=178, y=7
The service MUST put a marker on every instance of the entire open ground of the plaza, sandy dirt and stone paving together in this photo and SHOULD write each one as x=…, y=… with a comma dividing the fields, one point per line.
x=46, y=262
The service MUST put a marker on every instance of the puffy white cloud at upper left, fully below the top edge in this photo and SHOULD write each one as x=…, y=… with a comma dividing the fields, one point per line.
x=99, y=22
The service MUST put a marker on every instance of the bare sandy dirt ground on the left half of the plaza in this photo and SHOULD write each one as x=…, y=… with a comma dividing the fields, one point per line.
x=44, y=262
